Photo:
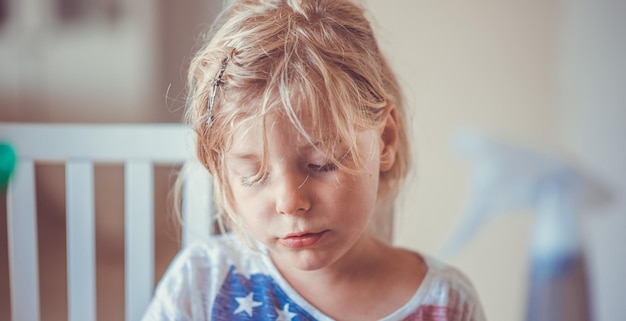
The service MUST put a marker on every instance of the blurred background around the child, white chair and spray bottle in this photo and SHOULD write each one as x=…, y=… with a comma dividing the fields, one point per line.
x=547, y=74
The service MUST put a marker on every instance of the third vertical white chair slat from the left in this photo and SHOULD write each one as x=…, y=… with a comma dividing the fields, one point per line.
x=139, y=234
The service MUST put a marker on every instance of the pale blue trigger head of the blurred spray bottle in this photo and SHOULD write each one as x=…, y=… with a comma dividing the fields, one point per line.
x=509, y=177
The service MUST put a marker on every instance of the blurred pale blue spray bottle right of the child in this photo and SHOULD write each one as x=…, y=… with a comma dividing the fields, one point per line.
x=508, y=177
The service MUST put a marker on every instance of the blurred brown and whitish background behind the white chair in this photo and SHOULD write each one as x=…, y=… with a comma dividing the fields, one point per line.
x=94, y=61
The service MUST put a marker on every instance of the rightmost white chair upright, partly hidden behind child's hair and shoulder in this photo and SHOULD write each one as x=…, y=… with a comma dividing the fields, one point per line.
x=197, y=206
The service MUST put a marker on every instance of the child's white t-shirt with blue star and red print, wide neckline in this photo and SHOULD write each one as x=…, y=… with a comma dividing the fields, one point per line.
x=224, y=280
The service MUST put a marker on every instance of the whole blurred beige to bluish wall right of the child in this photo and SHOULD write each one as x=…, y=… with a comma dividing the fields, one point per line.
x=550, y=74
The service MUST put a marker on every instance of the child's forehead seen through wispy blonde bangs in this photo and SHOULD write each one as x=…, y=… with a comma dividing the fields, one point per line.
x=304, y=120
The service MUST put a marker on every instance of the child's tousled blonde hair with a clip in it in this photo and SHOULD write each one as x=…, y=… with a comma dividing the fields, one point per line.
x=317, y=58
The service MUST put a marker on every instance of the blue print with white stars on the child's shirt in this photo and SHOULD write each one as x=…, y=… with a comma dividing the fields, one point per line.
x=245, y=297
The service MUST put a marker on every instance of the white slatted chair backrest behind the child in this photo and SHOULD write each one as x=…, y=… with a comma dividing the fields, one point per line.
x=138, y=147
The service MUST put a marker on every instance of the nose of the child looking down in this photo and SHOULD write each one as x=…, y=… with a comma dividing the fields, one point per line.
x=292, y=194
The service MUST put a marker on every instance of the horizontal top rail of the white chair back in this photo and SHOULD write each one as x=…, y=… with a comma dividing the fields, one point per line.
x=159, y=143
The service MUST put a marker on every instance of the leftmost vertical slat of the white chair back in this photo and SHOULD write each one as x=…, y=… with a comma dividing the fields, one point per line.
x=22, y=239
